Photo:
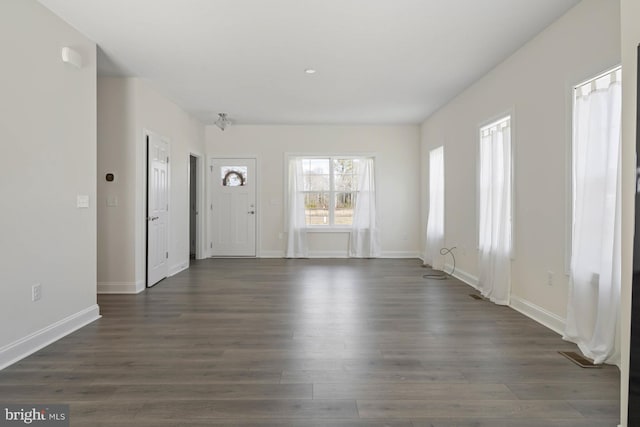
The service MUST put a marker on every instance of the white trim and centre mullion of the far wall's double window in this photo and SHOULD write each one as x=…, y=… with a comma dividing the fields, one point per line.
x=321, y=155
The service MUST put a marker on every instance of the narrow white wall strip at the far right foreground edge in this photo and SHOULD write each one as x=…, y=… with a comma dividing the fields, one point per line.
x=630, y=13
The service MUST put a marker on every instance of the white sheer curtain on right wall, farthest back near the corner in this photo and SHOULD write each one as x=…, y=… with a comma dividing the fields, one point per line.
x=435, y=220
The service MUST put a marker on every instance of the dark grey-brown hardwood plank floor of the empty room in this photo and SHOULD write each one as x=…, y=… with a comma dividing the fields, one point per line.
x=350, y=343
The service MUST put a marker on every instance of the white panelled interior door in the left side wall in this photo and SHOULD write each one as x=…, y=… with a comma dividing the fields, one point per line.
x=157, y=209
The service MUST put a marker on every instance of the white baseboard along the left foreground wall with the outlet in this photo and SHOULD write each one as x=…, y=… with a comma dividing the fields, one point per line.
x=17, y=350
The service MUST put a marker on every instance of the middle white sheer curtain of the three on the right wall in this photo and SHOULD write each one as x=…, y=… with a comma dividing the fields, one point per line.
x=495, y=211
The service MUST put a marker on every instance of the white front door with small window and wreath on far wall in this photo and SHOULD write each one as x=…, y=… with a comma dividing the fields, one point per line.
x=233, y=207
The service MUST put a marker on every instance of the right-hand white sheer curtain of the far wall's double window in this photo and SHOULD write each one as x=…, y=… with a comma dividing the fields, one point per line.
x=364, y=241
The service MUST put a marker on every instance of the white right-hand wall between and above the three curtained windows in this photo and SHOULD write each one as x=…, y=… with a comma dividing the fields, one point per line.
x=534, y=84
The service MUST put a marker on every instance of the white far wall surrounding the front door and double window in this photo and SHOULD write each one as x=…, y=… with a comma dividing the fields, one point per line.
x=397, y=172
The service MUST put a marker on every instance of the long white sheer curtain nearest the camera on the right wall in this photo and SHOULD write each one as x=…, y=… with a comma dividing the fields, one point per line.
x=594, y=282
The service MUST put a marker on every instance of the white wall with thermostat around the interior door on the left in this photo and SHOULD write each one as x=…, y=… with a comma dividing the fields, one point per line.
x=127, y=108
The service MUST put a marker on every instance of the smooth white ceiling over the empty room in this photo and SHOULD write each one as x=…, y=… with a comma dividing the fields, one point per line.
x=377, y=61
